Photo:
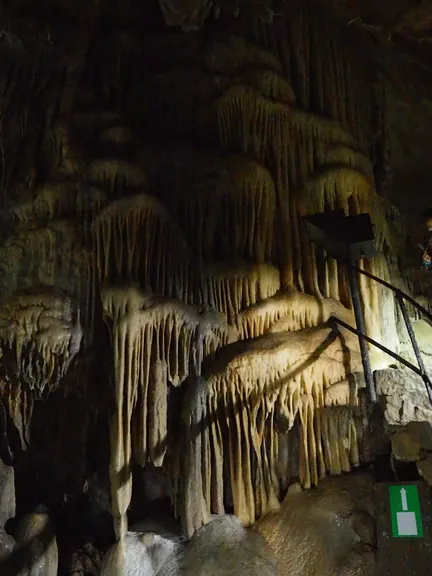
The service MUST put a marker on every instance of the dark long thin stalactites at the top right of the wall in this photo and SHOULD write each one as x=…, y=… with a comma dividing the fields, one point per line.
x=327, y=74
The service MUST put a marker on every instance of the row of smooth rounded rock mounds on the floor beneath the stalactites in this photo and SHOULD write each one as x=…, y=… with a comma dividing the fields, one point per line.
x=339, y=539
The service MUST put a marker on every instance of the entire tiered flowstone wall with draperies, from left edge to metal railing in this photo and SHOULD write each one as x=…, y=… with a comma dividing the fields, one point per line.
x=157, y=244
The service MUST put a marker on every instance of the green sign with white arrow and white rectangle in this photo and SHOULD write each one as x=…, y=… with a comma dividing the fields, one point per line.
x=405, y=511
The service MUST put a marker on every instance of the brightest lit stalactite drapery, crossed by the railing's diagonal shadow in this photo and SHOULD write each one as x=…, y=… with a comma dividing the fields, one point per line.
x=240, y=392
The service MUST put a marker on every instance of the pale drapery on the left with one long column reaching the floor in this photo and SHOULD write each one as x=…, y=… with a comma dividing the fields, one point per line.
x=155, y=341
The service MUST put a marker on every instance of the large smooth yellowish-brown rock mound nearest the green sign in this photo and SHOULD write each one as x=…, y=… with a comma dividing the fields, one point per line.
x=327, y=531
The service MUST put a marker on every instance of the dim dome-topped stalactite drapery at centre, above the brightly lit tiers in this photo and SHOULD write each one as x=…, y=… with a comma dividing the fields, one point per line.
x=233, y=196
